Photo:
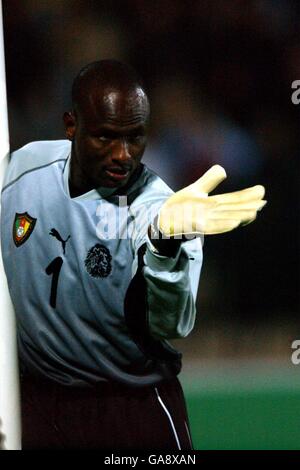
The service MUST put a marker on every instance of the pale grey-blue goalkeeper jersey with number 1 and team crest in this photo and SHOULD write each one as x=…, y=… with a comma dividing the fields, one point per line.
x=93, y=301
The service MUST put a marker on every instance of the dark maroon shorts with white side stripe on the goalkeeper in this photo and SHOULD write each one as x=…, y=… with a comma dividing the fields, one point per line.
x=110, y=416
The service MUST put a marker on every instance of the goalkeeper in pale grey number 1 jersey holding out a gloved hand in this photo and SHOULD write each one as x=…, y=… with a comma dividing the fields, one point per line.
x=95, y=312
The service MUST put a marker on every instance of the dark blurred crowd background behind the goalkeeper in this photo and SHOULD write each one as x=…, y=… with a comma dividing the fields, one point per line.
x=219, y=78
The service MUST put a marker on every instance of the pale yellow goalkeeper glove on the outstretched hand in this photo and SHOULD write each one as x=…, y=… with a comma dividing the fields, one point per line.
x=191, y=211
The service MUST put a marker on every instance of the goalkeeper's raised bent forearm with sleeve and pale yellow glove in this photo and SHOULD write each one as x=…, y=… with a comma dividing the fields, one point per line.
x=171, y=265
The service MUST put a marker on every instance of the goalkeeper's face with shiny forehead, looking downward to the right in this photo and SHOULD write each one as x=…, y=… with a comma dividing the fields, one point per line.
x=109, y=137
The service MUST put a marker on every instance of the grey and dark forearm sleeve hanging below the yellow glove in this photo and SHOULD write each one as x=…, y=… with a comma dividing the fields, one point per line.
x=172, y=285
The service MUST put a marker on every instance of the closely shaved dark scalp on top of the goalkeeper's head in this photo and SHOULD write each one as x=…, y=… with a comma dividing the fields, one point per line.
x=102, y=77
